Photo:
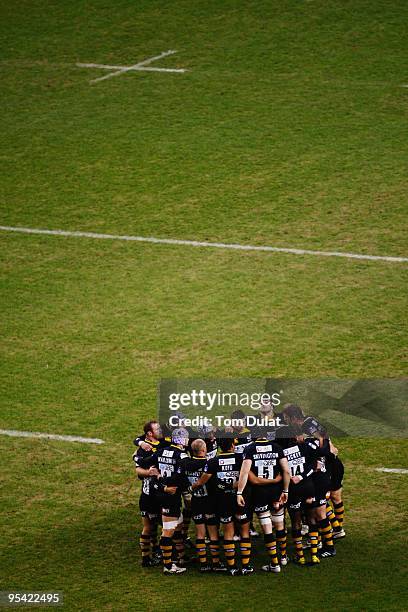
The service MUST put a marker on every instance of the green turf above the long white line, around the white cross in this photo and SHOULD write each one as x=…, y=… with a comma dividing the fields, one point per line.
x=289, y=127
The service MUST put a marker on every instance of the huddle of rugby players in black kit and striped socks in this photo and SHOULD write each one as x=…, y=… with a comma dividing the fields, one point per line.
x=225, y=479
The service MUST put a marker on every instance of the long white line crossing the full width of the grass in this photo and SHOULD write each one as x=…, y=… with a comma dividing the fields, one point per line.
x=195, y=243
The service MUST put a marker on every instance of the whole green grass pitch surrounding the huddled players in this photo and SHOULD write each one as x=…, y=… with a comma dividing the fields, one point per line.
x=288, y=129
